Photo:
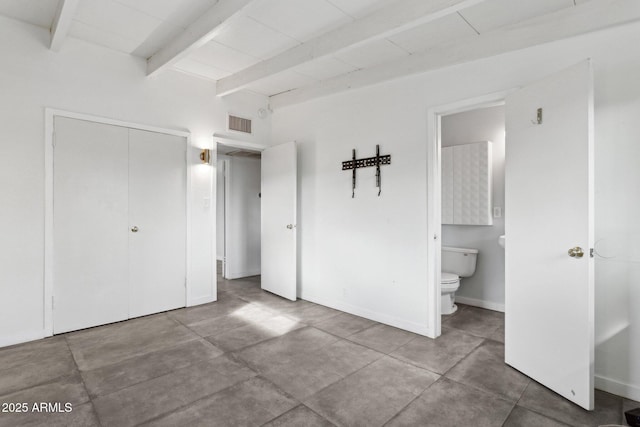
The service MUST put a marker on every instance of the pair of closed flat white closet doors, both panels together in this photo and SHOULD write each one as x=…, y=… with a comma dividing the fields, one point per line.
x=119, y=223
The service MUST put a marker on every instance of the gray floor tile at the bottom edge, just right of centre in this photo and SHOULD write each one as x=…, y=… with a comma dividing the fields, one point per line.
x=372, y=395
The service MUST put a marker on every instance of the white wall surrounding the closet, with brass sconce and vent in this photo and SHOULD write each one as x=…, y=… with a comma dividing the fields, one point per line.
x=88, y=79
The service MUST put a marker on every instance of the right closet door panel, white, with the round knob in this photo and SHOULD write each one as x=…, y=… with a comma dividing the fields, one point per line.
x=157, y=222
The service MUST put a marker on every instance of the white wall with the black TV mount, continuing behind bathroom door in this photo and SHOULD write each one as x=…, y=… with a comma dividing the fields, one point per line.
x=367, y=255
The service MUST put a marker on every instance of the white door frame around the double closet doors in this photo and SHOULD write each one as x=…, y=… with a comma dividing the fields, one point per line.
x=50, y=115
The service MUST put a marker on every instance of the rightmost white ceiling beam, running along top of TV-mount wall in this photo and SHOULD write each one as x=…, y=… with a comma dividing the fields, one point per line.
x=573, y=21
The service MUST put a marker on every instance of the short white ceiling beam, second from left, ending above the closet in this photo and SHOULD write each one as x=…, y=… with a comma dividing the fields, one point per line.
x=199, y=33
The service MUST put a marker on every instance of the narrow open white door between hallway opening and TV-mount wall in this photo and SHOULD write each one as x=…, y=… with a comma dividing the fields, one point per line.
x=278, y=224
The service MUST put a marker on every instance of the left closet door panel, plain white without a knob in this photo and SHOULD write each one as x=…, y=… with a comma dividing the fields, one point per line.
x=90, y=266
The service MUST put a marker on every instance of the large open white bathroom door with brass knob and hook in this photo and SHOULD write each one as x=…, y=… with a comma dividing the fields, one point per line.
x=548, y=224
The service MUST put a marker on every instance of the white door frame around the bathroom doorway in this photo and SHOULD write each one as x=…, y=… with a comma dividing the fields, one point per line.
x=434, y=197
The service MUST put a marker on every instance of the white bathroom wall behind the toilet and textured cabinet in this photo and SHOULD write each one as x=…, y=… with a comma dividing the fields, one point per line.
x=486, y=287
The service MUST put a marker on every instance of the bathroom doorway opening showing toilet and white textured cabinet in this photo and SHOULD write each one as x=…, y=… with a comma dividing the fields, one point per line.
x=472, y=160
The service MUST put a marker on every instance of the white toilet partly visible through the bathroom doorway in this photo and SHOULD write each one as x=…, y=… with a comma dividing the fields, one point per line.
x=456, y=263
